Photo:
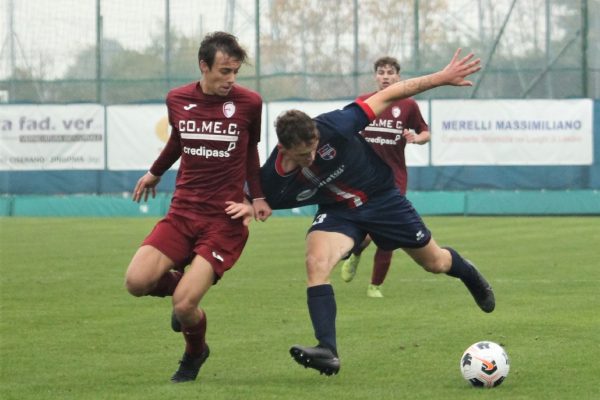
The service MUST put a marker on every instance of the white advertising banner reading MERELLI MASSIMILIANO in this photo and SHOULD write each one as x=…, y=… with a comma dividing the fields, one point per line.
x=512, y=132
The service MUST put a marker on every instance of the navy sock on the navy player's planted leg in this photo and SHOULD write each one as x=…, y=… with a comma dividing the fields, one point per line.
x=323, y=310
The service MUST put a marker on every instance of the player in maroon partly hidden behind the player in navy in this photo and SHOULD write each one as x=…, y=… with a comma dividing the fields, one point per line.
x=388, y=134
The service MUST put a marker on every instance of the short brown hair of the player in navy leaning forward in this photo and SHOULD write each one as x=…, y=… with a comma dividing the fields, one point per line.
x=294, y=127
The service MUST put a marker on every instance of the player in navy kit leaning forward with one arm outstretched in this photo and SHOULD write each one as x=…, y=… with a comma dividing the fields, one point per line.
x=326, y=162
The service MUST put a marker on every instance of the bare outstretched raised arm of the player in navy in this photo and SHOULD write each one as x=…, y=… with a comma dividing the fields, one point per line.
x=453, y=74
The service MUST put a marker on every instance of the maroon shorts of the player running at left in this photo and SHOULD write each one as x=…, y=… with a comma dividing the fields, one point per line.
x=219, y=240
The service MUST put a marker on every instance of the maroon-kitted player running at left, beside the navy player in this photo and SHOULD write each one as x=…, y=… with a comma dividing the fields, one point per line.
x=215, y=128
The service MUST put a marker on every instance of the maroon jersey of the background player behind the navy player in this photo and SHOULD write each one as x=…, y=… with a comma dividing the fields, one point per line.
x=384, y=134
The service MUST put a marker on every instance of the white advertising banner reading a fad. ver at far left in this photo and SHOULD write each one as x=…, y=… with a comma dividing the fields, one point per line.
x=51, y=137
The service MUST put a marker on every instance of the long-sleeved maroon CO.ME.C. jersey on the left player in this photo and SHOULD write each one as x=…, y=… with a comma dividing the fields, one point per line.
x=216, y=138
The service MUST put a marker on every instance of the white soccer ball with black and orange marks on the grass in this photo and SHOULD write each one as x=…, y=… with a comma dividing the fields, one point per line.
x=484, y=364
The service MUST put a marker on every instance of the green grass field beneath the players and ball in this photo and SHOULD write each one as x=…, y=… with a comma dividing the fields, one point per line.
x=69, y=330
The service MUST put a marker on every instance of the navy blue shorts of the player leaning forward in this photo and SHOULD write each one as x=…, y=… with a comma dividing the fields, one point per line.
x=389, y=219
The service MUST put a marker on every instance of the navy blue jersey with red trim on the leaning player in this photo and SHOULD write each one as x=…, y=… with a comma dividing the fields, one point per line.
x=346, y=171
